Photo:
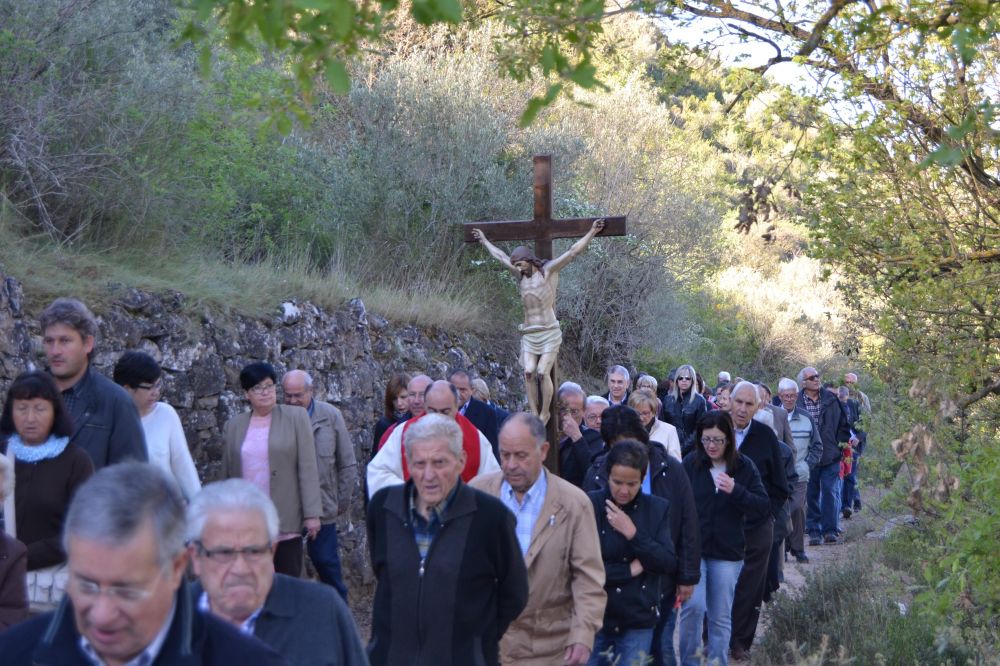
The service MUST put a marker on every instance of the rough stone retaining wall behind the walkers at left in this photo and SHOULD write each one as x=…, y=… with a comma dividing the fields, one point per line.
x=350, y=353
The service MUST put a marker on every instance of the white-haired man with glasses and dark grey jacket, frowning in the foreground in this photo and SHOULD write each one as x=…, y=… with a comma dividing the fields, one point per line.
x=232, y=527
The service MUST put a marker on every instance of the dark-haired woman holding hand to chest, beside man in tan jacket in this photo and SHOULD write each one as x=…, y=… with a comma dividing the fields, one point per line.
x=634, y=530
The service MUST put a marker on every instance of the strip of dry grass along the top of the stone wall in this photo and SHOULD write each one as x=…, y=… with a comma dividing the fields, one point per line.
x=48, y=270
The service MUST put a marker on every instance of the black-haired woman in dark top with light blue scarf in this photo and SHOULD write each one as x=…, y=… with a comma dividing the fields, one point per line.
x=48, y=468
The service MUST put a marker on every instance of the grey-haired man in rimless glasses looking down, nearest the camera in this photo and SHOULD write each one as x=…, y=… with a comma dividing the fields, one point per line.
x=127, y=603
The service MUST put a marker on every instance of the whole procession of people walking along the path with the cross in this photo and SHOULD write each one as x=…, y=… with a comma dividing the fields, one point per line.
x=655, y=540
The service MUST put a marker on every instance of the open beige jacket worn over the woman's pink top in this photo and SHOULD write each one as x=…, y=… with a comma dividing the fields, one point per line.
x=291, y=455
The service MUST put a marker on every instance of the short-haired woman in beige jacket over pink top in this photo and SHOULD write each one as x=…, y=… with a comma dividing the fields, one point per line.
x=272, y=447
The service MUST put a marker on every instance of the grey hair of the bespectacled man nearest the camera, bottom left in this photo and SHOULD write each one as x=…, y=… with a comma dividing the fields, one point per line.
x=117, y=501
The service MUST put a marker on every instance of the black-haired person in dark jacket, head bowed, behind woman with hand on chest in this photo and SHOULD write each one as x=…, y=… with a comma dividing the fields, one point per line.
x=666, y=479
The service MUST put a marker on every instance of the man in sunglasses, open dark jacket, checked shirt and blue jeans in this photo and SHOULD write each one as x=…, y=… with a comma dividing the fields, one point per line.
x=823, y=493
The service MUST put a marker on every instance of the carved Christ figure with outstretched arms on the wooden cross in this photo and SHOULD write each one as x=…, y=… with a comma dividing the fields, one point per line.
x=540, y=332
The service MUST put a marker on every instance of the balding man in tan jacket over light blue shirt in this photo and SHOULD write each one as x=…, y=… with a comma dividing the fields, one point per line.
x=558, y=536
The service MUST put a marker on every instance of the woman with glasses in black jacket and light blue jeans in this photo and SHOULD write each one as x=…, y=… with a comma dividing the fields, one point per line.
x=727, y=489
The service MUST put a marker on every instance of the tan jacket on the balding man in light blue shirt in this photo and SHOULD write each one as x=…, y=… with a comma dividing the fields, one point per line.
x=566, y=595
